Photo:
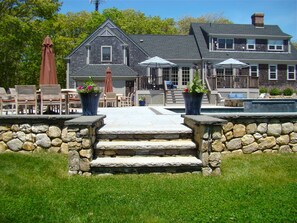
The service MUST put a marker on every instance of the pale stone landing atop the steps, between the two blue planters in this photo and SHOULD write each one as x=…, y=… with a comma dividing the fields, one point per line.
x=142, y=119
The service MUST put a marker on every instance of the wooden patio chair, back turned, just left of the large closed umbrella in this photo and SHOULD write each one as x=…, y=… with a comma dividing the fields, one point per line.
x=26, y=96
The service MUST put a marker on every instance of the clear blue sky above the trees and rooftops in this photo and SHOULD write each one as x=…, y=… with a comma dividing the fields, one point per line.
x=276, y=12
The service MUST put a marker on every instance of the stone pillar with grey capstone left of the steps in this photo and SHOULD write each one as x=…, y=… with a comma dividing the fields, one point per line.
x=81, y=134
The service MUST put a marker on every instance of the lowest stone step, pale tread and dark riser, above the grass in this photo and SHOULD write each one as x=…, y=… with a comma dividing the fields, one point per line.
x=146, y=164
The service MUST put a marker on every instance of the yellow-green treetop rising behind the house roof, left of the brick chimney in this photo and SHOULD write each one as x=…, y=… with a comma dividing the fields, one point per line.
x=183, y=25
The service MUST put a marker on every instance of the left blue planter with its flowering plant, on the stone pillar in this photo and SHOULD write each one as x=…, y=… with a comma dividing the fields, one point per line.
x=89, y=95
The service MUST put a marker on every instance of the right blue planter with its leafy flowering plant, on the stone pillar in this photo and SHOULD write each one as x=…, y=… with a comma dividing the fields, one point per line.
x=193, y=95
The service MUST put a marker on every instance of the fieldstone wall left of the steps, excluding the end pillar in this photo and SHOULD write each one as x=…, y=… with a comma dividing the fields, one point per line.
x=33, y=134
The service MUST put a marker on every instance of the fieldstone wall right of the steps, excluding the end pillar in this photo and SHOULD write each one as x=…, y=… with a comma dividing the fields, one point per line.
x=257, y=134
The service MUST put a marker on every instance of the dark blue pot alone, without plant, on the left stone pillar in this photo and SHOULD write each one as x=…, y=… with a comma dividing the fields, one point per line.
x=89, y=103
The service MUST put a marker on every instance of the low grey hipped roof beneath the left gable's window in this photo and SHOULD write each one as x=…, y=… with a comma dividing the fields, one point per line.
x=99, y=70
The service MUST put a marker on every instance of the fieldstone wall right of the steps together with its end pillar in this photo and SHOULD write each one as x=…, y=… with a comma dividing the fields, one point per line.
x=242, y=134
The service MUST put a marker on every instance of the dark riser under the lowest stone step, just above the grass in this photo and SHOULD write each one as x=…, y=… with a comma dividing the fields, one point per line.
x=139, y=170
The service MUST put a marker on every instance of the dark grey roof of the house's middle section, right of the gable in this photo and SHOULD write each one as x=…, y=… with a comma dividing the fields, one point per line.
x=169, y=47
